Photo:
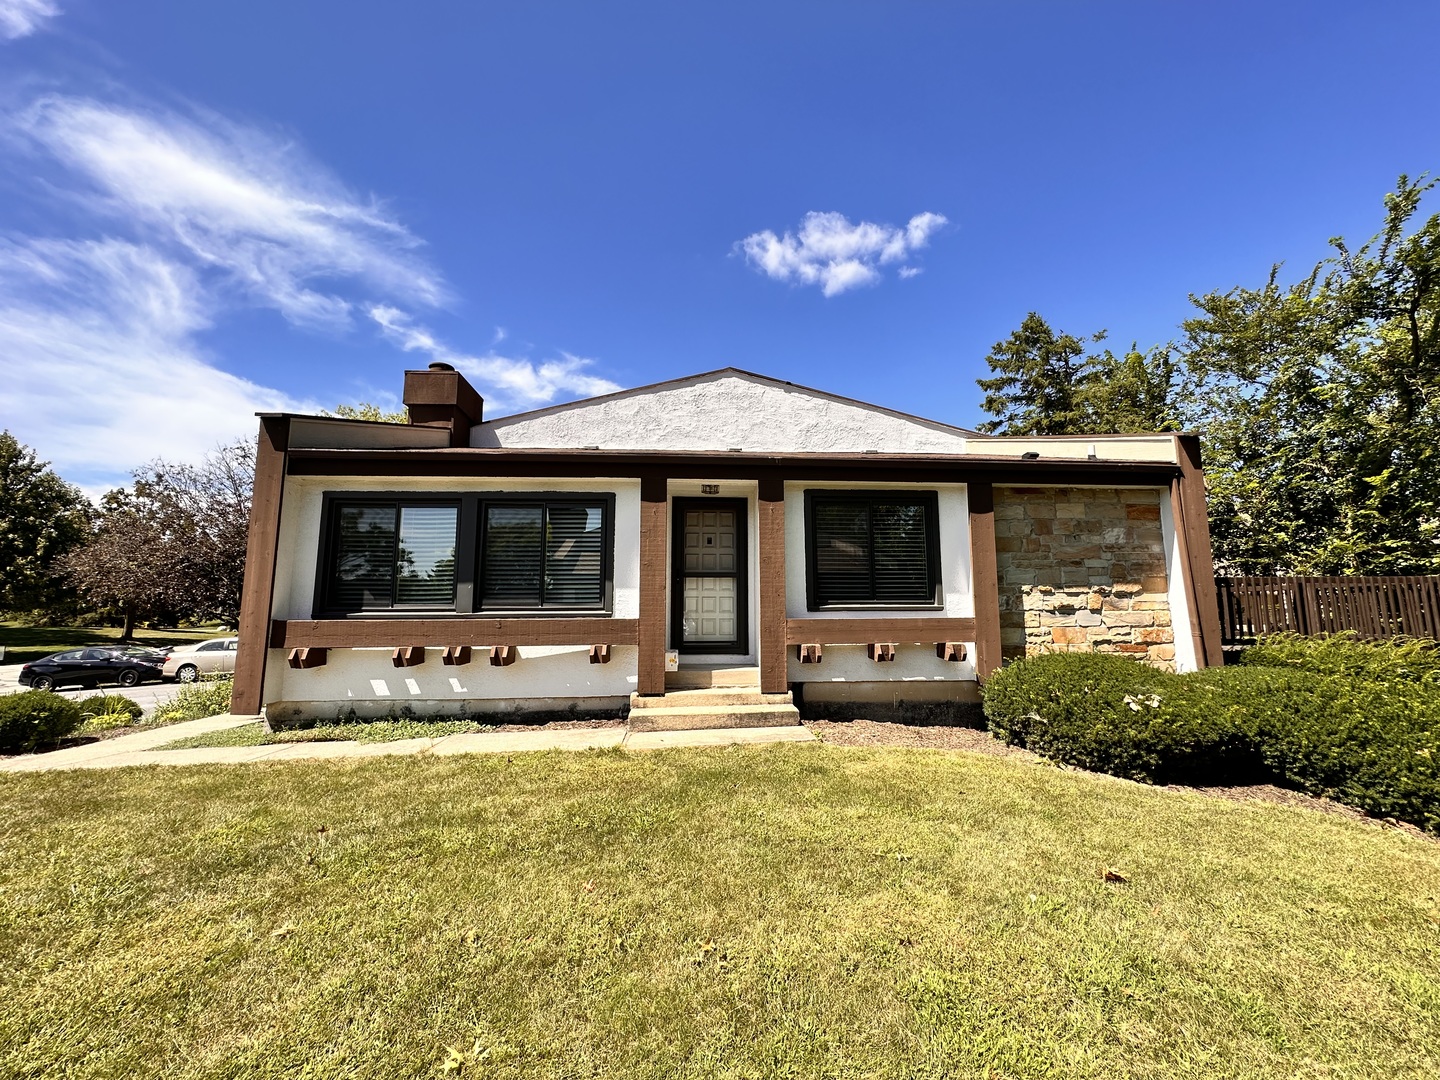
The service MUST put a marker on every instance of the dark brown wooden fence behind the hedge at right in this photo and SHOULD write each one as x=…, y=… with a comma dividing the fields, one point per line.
x=1372, y=607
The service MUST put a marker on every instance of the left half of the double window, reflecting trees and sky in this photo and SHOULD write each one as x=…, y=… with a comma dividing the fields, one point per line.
x=392, y=555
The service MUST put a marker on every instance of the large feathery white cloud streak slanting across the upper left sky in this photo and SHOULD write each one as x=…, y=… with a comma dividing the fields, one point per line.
x=241, y=205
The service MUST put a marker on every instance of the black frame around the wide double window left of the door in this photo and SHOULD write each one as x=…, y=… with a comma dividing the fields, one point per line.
x=470, y=523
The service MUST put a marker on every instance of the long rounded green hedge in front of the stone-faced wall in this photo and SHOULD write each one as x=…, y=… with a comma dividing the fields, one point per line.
x=1373, y=745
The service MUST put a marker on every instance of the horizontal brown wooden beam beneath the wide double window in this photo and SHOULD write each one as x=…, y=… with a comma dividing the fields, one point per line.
x=384, y=633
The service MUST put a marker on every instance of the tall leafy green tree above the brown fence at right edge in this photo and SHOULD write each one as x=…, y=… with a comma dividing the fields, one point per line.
x=1320, y=405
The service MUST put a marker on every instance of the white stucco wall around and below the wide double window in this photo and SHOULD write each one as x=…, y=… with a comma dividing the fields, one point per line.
x=541, y=673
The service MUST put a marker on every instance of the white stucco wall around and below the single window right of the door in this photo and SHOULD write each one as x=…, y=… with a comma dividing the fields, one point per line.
x=914, y=662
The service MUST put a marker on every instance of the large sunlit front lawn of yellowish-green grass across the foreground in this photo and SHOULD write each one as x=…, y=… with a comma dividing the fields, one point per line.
x=762, y=912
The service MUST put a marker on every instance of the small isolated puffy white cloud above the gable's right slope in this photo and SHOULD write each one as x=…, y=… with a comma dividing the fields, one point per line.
x=832, y=253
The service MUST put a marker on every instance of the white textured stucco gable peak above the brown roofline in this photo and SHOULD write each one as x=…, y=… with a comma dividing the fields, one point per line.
x=724, y=410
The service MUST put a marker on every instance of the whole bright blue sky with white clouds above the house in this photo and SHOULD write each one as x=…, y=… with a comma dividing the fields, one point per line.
x=211, y=210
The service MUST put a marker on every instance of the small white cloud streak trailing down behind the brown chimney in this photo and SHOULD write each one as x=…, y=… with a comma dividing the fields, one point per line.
x=510, y=381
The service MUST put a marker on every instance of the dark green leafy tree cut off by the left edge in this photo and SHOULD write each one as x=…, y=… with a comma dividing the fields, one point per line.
x=41, y=519
